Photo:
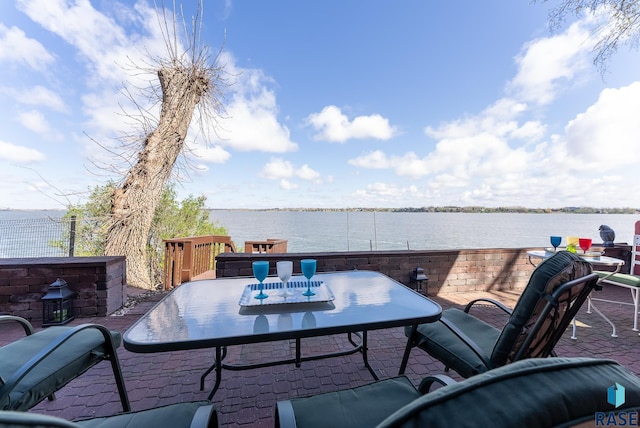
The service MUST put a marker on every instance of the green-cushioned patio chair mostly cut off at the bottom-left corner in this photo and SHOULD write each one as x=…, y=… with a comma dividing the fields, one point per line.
x=181, y=415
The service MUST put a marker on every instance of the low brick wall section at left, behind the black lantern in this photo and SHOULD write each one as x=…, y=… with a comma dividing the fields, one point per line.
x=99, y=284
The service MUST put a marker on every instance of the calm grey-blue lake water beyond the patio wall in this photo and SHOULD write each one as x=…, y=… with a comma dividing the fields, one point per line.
x=363, y=231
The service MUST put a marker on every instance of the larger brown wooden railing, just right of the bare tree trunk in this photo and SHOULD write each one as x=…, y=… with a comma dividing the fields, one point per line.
x=185, y=258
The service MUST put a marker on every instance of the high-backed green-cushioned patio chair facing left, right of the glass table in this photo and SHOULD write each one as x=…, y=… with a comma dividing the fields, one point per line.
x=556, y=290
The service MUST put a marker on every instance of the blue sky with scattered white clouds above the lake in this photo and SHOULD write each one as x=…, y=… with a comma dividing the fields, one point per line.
x=331, y=104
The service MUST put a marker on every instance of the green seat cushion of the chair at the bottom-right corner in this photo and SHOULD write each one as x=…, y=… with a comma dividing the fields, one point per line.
x=363, y=406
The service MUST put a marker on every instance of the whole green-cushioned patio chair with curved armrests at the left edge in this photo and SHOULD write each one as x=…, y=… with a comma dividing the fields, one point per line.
x=36, y=366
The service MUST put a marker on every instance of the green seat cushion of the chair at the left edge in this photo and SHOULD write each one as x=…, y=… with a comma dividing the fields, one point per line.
x=79, y=353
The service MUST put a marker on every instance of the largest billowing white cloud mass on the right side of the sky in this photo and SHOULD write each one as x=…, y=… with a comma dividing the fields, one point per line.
x=496, y=155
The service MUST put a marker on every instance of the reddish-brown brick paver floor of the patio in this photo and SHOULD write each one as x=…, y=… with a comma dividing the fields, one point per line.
x=247, y=398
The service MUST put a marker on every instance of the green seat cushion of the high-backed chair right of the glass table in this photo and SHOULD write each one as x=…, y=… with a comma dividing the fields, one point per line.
x=441, y=343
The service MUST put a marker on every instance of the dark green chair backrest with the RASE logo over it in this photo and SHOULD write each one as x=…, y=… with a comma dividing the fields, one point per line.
x=537, y=392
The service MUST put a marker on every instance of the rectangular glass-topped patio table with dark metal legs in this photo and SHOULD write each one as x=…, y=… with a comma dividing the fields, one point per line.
x=222, y=312
